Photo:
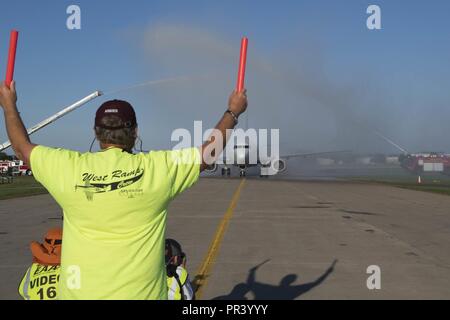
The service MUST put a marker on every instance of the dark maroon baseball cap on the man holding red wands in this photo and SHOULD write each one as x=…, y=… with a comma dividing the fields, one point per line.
x=118, y=108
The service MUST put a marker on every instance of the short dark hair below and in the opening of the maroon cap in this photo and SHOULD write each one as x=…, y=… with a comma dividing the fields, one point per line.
x=124, y=137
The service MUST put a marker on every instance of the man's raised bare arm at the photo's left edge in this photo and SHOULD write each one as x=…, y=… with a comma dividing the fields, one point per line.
x=17, y=133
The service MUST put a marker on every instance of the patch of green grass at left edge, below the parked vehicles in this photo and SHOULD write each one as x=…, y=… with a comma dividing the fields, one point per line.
x=21, y=187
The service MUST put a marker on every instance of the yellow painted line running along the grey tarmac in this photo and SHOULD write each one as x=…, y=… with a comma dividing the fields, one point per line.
x=204, y=271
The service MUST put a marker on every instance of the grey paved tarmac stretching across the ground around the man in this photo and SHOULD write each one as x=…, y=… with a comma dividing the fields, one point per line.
x=275, y=239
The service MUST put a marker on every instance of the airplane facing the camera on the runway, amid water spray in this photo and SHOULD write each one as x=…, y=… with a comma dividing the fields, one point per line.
x=269, y=166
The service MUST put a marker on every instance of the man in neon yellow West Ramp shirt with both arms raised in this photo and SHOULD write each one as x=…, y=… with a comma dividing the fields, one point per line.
x=115, y=202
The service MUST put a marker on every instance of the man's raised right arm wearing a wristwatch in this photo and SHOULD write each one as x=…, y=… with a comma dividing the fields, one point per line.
x=213, y=147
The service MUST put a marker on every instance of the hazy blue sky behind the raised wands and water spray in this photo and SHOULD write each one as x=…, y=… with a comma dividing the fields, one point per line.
x=315, y=70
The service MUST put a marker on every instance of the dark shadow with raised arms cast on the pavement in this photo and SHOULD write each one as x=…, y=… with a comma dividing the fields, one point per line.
x=284, y=291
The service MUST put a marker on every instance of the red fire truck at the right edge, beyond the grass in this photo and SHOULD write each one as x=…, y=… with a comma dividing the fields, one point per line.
x=426, y=162
